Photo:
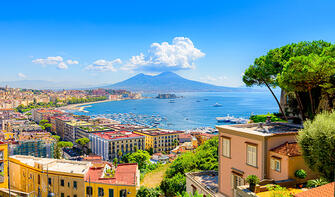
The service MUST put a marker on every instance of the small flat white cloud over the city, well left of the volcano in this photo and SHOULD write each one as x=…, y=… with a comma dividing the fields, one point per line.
x=56, y=60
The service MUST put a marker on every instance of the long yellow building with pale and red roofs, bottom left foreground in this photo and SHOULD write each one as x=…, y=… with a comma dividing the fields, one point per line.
x=33, y=176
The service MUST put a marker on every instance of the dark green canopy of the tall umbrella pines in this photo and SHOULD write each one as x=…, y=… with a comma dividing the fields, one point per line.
x=302, y=68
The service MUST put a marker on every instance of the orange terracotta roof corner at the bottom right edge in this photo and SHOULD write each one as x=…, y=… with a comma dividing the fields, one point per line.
x=324, y=191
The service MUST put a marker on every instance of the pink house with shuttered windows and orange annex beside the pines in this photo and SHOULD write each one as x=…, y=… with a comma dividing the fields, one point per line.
x=268, y=151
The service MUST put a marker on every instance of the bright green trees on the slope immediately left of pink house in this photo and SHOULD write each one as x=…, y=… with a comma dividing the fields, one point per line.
x=205, y=157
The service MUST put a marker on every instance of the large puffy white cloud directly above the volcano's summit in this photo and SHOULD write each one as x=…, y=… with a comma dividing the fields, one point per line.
x=180, y=55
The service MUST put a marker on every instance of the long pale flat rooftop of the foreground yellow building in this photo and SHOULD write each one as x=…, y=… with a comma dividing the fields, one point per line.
x=57, y=165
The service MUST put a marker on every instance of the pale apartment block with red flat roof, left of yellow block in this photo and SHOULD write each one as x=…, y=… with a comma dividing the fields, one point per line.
x=109, y=144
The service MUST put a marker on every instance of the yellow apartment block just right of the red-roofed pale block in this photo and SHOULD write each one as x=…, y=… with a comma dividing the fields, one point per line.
x=160, y=139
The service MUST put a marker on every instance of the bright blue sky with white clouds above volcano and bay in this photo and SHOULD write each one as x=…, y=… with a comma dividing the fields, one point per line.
x=103, y=42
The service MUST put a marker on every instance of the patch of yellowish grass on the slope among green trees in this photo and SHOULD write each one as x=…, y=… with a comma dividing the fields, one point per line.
x=154, y=178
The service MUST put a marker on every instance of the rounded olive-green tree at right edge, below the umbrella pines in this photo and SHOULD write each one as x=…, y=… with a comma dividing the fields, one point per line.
x=318, y=145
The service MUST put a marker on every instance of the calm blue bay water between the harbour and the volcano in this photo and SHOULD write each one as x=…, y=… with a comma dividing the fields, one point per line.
x=187, y=113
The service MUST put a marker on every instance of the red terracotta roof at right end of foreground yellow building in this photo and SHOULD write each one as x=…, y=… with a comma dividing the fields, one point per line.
x=125, y=174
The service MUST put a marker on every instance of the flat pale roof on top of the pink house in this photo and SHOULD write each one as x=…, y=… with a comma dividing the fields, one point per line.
x=263, y=129
